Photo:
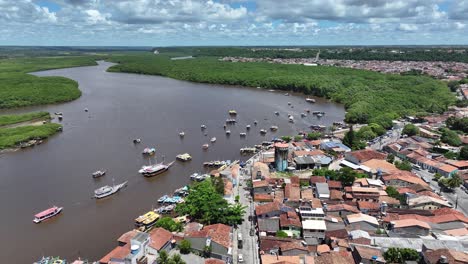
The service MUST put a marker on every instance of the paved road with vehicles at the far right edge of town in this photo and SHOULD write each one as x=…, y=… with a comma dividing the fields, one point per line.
x=461, y=205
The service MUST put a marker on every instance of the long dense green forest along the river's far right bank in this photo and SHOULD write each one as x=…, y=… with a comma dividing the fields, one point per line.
x=369, y=97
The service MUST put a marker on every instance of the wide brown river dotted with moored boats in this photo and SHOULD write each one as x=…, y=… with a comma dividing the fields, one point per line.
x=122, y=107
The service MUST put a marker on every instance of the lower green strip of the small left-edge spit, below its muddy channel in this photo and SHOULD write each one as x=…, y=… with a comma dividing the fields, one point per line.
x=11, y=137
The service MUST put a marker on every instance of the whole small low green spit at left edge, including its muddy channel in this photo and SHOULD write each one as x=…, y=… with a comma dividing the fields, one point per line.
x=26, y=130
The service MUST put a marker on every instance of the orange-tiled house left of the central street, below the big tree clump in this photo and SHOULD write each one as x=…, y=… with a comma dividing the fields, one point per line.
x=217, y=237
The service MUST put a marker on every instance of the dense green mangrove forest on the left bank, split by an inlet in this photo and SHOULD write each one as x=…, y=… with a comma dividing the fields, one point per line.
x=18, y=89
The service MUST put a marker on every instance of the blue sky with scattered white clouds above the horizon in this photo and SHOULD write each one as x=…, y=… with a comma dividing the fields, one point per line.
x=232, y=22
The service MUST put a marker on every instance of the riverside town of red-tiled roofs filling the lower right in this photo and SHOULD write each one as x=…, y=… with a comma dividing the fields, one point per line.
x=318, y=201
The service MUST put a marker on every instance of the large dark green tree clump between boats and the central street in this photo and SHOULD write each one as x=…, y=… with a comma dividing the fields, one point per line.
x=207, y=206
